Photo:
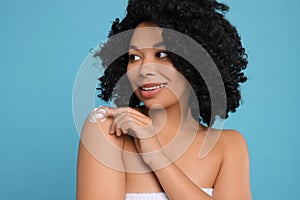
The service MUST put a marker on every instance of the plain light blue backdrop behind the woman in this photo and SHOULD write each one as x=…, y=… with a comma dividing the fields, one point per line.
x=43, y=43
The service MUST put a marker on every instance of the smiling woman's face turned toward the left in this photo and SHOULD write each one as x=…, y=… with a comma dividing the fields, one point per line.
x=150, y=71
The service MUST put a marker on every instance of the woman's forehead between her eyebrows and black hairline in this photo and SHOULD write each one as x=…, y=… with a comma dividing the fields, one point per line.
x=146, y=36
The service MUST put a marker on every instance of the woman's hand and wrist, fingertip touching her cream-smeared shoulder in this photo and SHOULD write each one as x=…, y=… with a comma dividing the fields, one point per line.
x=132, y=122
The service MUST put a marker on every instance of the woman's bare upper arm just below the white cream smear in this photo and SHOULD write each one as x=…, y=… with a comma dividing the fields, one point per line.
x=100, y=173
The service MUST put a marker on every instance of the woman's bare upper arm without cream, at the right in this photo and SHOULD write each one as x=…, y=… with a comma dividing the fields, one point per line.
x=233, y=182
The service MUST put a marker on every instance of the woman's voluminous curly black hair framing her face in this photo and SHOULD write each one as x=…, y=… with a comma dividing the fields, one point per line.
x=202, y=20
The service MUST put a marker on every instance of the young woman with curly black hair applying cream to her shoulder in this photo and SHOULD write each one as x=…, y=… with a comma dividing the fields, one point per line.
x=148, y=146
